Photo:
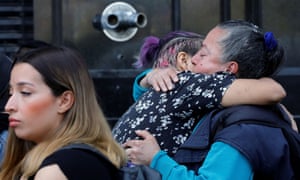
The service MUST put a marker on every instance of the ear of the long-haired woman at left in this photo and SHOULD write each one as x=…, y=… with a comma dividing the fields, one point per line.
x=66, y=101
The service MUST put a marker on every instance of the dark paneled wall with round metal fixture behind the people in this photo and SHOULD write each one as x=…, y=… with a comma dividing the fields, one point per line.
x=110, y=33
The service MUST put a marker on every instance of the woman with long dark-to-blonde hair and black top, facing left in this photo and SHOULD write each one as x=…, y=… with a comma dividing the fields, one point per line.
x=53, y=104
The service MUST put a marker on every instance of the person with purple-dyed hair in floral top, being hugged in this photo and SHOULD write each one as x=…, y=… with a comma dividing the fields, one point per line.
x=171, y=116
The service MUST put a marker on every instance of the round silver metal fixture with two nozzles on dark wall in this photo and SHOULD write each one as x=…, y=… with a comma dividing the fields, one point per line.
x=119, y=21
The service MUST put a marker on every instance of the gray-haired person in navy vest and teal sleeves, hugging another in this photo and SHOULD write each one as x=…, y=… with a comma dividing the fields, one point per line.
x=240, y=151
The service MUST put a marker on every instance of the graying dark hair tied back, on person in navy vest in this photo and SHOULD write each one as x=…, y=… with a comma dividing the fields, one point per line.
x=245, y=43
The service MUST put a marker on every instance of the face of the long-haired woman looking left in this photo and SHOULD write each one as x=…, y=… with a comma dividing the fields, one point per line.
x=33, y=109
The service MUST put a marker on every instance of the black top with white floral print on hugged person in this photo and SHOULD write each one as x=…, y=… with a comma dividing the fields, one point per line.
x=171, y=116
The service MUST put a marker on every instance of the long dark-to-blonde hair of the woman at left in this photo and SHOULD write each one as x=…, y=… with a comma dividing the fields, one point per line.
x=62, y=70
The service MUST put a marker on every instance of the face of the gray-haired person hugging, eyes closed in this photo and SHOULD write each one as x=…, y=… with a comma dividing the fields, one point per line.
x=208, y=59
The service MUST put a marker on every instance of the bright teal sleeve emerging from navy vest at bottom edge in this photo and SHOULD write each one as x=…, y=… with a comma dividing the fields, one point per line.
x=222, y=162
